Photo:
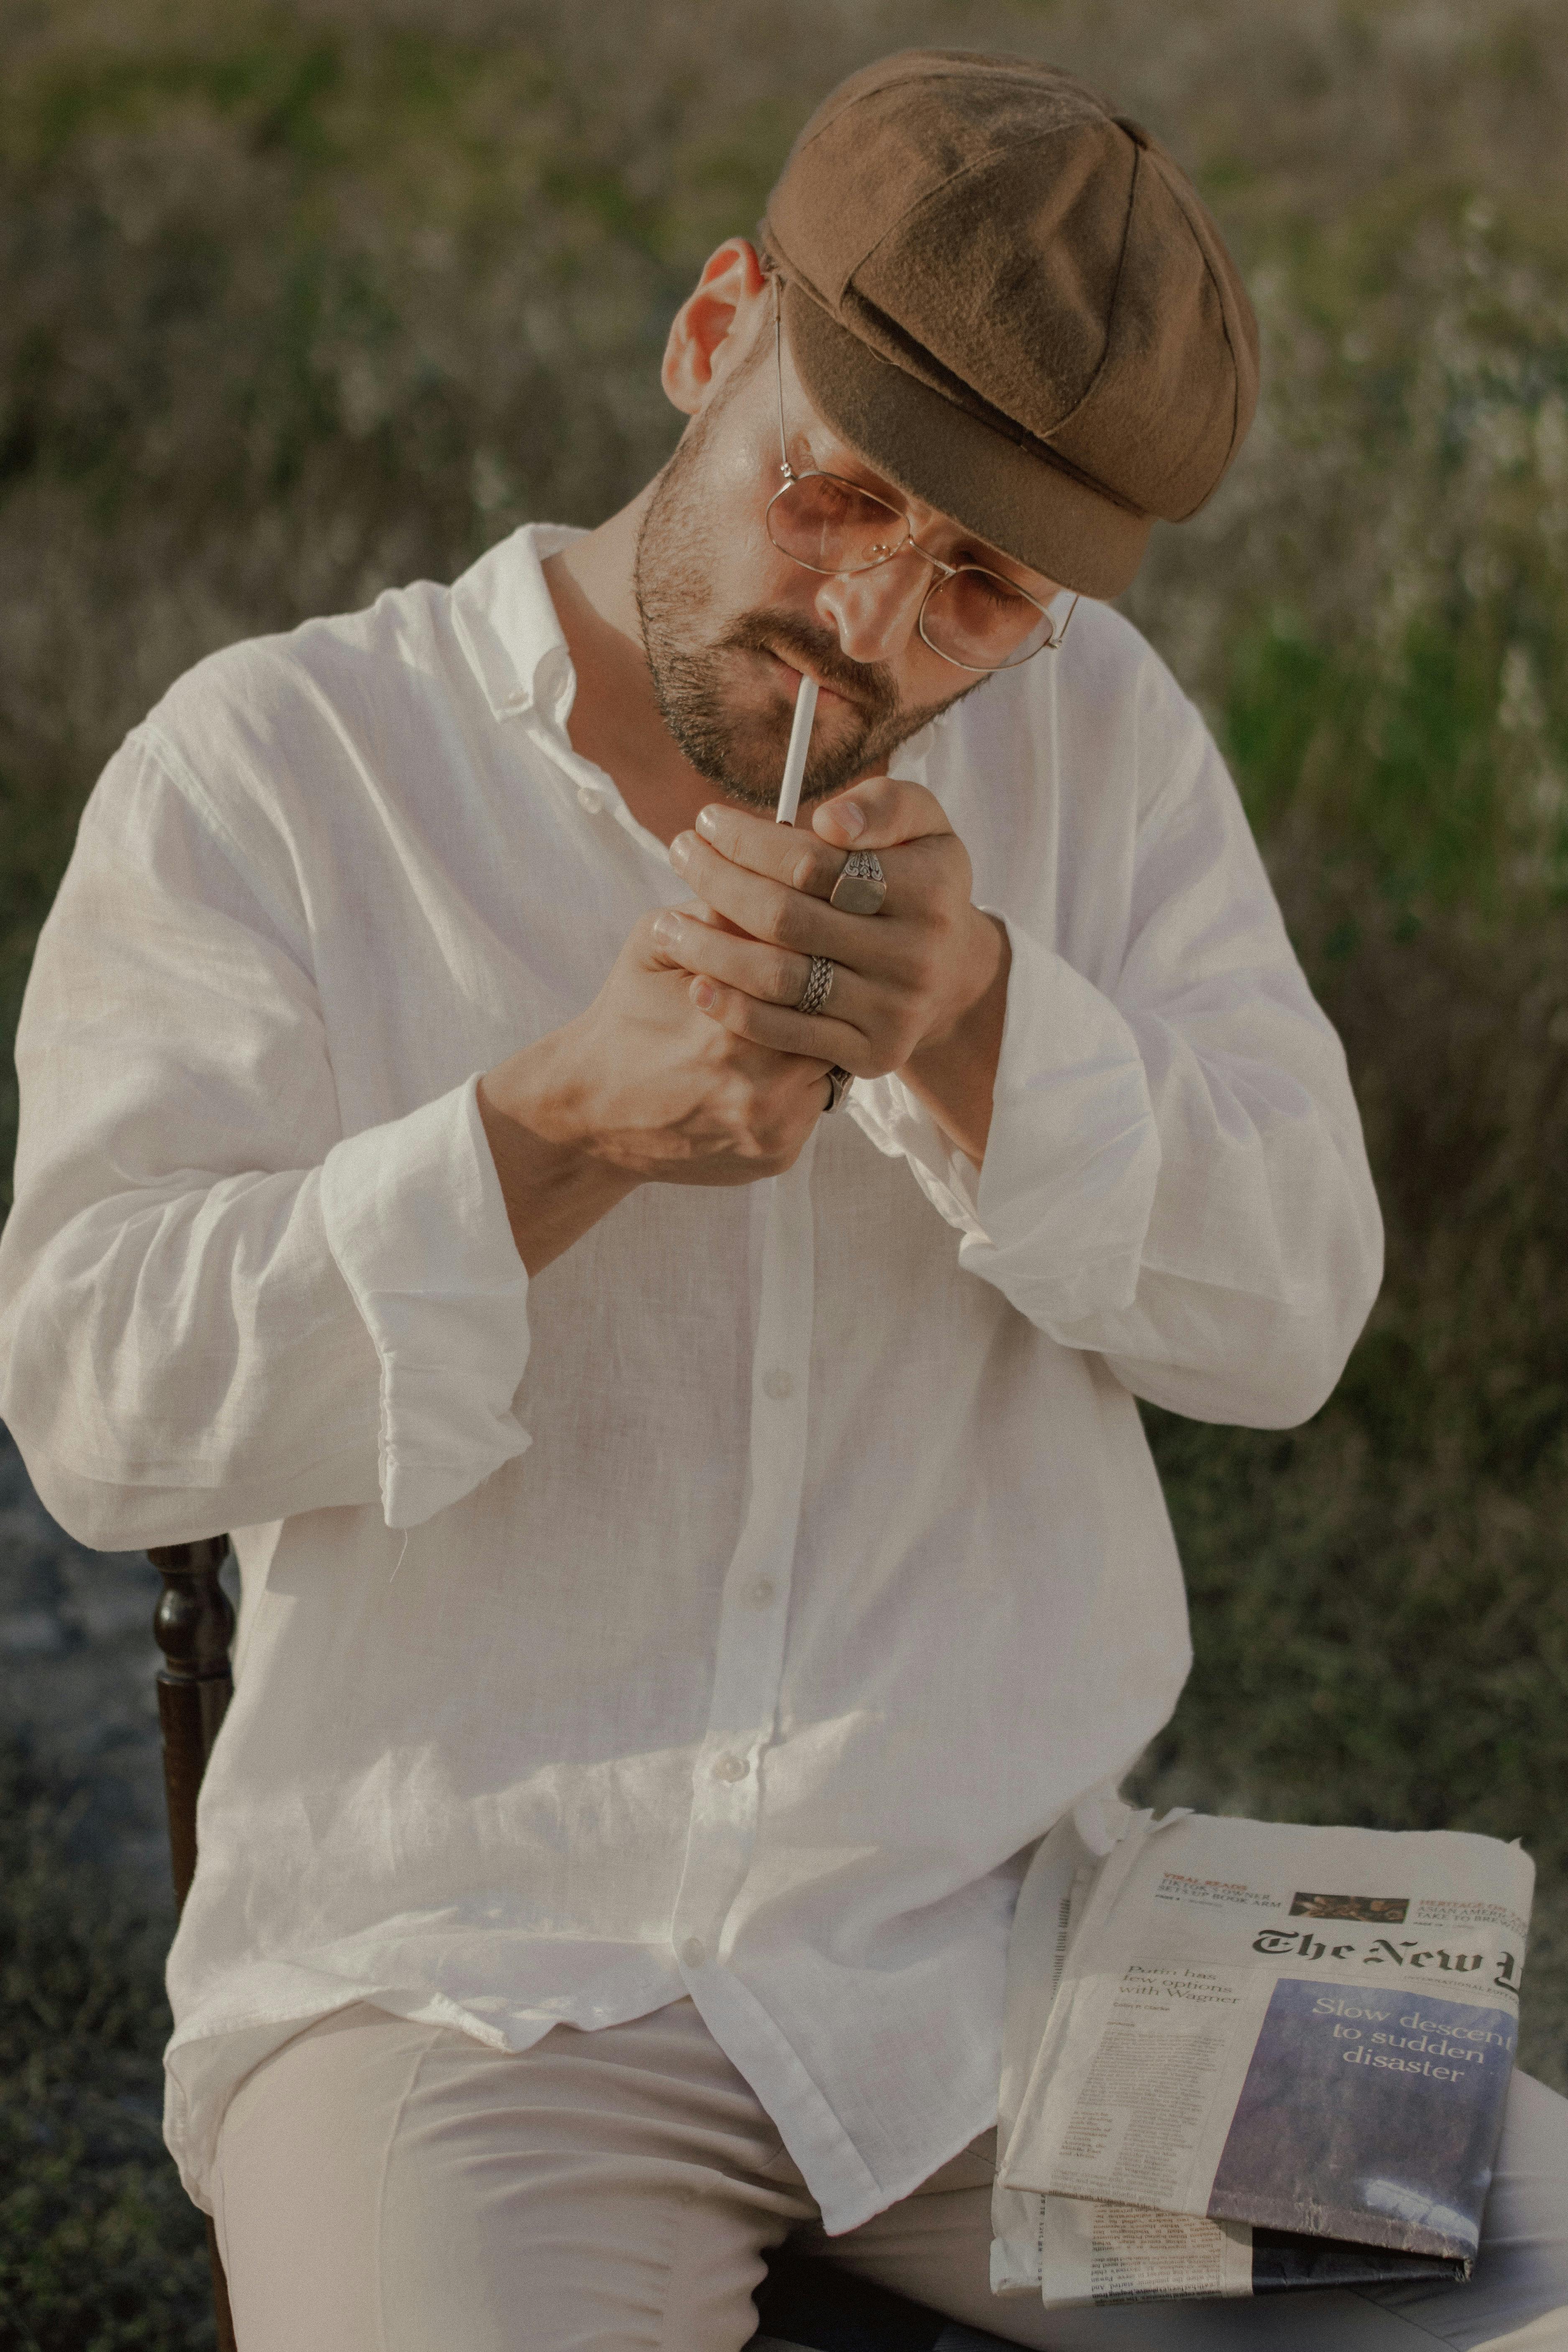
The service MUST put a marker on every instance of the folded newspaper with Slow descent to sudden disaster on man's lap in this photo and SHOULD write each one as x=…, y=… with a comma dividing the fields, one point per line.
x=1247, y=2057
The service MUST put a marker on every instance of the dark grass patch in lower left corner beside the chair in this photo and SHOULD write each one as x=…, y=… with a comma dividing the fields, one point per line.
x=100, y=2250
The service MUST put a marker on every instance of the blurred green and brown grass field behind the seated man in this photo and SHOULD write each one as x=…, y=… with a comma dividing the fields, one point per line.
x=300, y=302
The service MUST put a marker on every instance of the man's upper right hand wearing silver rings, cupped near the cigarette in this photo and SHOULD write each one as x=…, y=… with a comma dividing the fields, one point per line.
x=918, y=989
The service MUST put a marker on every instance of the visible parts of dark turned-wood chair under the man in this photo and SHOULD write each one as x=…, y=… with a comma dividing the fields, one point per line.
x=800, y=2306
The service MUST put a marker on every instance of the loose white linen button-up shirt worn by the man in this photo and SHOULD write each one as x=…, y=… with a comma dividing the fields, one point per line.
x=730, y=1610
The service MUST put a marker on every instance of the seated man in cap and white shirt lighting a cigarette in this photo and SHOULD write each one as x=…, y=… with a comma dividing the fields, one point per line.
x=695, y=1546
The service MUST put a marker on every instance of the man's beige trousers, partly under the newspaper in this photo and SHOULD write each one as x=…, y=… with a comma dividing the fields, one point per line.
x=401, y=2189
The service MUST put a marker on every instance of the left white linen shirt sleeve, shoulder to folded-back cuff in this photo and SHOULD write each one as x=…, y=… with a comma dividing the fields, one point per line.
x=215, y=1309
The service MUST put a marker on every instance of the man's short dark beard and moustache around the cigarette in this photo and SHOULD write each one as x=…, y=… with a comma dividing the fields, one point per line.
x=706, y=683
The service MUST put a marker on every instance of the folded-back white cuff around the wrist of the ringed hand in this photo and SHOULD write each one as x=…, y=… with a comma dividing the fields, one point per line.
x=1059, y=1212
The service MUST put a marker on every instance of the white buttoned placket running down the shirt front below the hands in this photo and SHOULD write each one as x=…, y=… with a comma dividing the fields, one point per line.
x=756, y=1593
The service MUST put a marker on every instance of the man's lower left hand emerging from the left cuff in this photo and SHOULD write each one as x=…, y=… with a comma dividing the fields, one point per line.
x=638, y=1090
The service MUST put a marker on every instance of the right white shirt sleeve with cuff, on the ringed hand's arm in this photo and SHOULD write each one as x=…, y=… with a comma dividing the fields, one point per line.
x=1174, y=1175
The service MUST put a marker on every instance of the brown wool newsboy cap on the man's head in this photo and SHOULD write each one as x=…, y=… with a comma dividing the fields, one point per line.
x=1014, y=305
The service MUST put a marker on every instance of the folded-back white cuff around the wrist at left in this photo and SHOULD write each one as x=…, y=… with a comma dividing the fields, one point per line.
x=420, y=1231
